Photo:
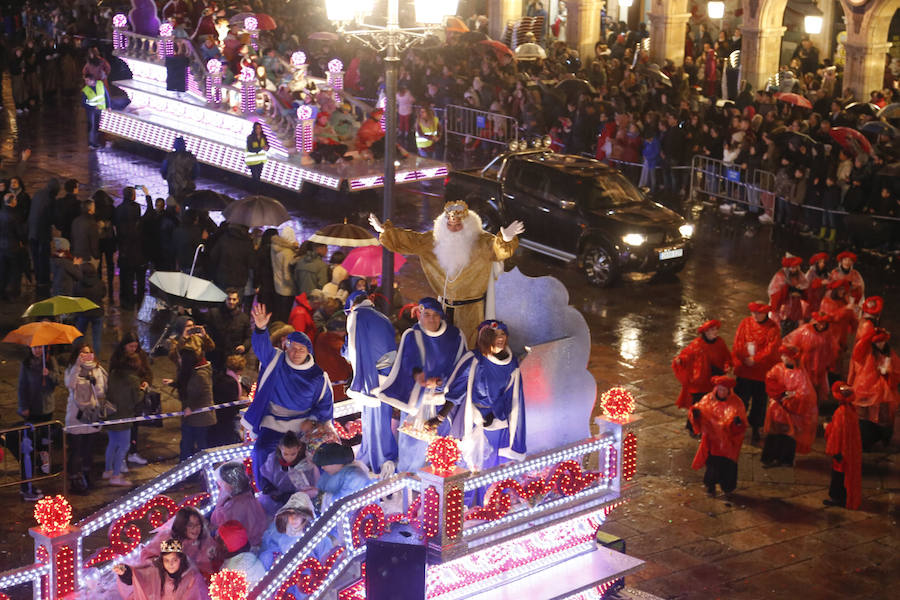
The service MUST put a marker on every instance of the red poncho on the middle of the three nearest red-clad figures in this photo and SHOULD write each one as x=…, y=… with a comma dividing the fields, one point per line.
x=793, y=408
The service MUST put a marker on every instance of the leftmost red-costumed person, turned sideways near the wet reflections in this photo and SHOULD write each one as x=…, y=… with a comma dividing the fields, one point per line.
x=706, y=356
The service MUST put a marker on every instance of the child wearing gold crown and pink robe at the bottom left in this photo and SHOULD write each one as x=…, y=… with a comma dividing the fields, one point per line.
x=169, y=576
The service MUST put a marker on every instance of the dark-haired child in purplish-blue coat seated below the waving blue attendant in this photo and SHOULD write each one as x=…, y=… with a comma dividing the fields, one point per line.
x=287, y=470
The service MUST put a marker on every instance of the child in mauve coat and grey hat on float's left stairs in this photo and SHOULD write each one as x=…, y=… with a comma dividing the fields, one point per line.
x=237, y=503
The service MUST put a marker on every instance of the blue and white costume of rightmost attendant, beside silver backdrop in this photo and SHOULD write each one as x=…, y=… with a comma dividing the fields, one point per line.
x=480, y=387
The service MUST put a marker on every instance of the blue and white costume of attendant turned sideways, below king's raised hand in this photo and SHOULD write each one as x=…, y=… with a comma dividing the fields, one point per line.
x=370, y=336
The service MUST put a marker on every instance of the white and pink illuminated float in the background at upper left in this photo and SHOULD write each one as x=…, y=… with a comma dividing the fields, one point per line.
x=215, y=119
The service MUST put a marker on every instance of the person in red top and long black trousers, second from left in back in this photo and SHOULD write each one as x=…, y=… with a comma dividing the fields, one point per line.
x=754, y=352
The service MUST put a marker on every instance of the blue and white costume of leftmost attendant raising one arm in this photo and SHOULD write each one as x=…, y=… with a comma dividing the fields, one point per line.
x=286, y=395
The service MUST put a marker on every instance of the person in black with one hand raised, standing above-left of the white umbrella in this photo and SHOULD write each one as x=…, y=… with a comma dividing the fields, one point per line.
x=132, y=264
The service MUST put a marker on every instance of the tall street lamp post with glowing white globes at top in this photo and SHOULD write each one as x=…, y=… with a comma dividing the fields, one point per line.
x=392, y=40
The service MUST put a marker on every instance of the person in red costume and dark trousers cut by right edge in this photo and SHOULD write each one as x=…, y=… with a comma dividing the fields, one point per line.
x=875, y=387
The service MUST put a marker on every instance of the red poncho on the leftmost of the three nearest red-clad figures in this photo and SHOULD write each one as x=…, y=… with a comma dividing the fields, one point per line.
x=720, y=435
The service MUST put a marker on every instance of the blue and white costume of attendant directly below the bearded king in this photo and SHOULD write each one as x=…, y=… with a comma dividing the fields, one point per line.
x=433, y=353
